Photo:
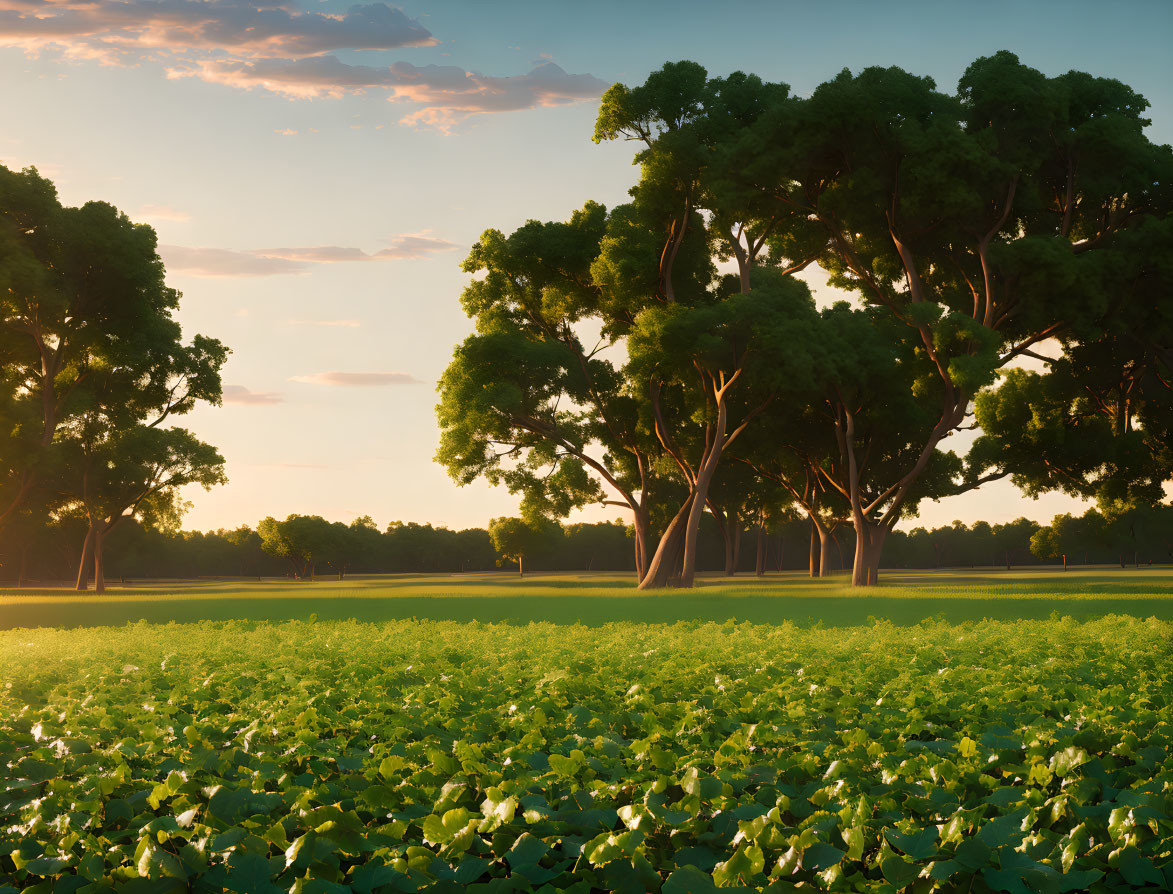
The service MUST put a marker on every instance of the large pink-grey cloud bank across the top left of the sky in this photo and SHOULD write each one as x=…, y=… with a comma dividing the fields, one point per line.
x=286, y=51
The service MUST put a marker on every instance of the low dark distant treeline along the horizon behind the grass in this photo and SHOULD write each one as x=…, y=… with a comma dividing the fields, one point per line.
x=310, y=546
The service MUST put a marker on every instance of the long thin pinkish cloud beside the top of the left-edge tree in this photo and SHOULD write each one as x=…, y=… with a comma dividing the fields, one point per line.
x=208, y=262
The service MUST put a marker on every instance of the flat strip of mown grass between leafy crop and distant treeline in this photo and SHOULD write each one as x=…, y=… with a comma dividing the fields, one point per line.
x=905, y=598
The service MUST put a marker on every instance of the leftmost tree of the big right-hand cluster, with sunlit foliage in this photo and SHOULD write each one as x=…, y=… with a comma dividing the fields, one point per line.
x=525, y=403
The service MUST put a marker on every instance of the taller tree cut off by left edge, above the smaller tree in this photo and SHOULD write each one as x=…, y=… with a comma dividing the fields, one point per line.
x=83, y=296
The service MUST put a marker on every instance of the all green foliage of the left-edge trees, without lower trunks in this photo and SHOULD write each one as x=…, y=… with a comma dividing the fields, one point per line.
x=93, y=361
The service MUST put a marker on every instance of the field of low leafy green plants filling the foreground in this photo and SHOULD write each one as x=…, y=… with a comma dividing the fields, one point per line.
x=436, y=756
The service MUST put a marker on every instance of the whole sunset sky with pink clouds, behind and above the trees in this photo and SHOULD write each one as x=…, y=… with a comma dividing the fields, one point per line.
x=317, y=172
